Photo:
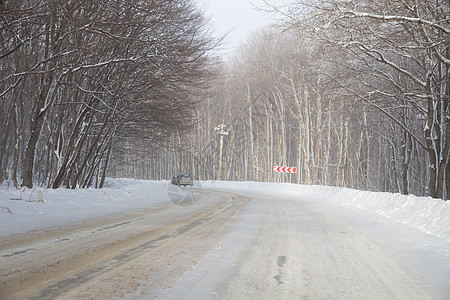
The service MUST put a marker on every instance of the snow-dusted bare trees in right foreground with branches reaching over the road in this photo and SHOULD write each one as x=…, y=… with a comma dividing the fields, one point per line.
x=403, y=48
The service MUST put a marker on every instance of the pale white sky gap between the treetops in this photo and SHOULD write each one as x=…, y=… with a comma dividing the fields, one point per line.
x=239, y=17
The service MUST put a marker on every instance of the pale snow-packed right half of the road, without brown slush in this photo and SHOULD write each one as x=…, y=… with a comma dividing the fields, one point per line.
x=278, y=247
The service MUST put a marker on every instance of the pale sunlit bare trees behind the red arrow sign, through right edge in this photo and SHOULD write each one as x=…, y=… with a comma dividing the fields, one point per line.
x=352, y=93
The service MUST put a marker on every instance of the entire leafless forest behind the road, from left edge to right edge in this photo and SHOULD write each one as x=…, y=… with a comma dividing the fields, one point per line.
x=352, y=93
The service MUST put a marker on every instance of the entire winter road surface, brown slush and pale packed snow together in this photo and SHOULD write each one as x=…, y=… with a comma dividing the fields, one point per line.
x=225, y=246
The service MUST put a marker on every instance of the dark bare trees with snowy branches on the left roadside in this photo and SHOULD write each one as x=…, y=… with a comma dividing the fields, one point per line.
x=80, y=81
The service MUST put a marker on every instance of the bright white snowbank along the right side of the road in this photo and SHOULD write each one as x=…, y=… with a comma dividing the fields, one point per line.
x=426, y=214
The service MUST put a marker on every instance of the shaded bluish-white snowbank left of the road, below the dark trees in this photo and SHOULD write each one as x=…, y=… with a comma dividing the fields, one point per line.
x=21, y=211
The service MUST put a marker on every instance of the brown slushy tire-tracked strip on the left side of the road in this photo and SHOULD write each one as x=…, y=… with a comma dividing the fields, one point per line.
x=73, y=267
